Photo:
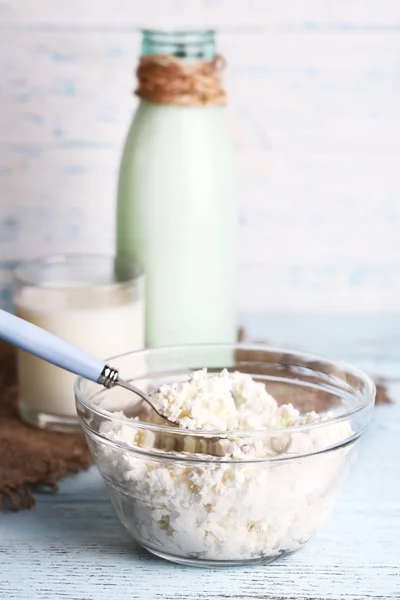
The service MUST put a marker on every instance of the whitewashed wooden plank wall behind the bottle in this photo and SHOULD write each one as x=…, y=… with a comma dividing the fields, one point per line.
x=315, y=110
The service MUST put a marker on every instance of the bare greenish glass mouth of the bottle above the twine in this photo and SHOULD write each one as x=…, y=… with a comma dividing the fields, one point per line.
x=186, y=45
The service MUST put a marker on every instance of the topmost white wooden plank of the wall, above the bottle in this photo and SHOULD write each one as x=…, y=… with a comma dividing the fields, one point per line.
x=196, y=13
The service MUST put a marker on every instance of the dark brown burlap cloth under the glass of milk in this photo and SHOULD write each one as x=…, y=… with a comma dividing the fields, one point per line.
x=31, y=459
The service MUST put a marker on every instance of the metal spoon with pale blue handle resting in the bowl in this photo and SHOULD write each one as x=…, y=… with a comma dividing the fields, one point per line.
x=51, y=348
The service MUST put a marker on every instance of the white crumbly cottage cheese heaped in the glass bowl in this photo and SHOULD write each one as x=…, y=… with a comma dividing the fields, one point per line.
x=230, y=510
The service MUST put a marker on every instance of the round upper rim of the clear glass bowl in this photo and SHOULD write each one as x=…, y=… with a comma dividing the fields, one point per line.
x=367, y=397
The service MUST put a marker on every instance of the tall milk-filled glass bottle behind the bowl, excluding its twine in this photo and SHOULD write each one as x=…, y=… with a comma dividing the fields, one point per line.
x=176, y=208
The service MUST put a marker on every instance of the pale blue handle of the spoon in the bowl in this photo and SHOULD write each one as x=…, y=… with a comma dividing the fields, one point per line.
x=49, y=347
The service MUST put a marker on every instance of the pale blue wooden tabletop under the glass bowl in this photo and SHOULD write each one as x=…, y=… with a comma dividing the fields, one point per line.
x=71, y=546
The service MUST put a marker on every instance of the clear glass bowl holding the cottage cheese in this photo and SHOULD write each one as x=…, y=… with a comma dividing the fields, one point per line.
x=184, y=496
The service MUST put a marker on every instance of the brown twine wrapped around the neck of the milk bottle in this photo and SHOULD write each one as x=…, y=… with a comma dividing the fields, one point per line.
x=168, y=80
